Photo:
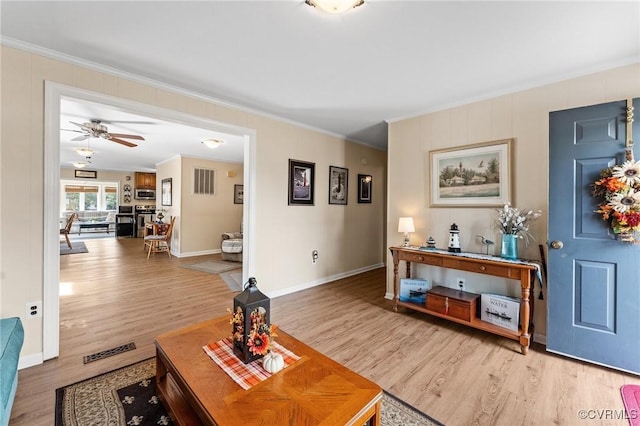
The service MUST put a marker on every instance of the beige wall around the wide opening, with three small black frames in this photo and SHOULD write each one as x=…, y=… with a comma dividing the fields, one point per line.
x=349, y=239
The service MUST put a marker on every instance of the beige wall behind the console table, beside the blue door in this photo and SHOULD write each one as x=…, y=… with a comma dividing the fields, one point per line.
x=522, y=116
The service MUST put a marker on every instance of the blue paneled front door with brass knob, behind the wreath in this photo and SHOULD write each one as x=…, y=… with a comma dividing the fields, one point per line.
x=594, y=282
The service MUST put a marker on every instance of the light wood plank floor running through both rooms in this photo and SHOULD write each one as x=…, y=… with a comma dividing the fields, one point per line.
x=457, y=375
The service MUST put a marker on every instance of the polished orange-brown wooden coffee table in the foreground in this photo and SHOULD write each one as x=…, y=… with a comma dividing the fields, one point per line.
x=314, y=390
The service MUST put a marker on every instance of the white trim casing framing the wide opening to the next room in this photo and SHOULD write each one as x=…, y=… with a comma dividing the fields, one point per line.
x=54, y=93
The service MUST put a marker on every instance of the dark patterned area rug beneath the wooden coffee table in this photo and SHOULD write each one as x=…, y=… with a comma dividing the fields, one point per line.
x=127, y=396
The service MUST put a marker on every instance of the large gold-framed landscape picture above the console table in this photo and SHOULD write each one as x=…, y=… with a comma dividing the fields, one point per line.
x=471, y=176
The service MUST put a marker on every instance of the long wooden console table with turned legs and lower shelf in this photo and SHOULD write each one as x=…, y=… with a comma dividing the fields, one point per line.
x=522, y=271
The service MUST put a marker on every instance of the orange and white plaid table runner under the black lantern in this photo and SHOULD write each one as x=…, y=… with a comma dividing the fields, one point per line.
x=246, y=375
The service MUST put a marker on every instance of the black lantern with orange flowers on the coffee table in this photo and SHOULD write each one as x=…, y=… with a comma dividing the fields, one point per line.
x=250, y=319
